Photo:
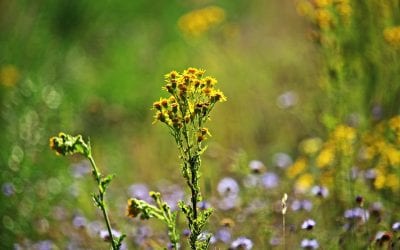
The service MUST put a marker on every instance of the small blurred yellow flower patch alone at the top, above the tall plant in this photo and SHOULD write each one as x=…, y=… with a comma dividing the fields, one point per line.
x=197, y=22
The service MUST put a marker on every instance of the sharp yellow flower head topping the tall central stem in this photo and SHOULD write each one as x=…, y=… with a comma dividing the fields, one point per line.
x=192, y=98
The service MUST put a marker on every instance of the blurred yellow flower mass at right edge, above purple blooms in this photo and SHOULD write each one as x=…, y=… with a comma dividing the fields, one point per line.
x=378, y=149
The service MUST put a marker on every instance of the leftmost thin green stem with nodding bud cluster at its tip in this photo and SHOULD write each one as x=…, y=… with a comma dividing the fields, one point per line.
x=65, y=144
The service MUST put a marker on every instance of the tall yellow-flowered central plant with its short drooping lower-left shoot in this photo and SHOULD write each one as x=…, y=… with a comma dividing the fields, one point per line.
x=185, y=112
